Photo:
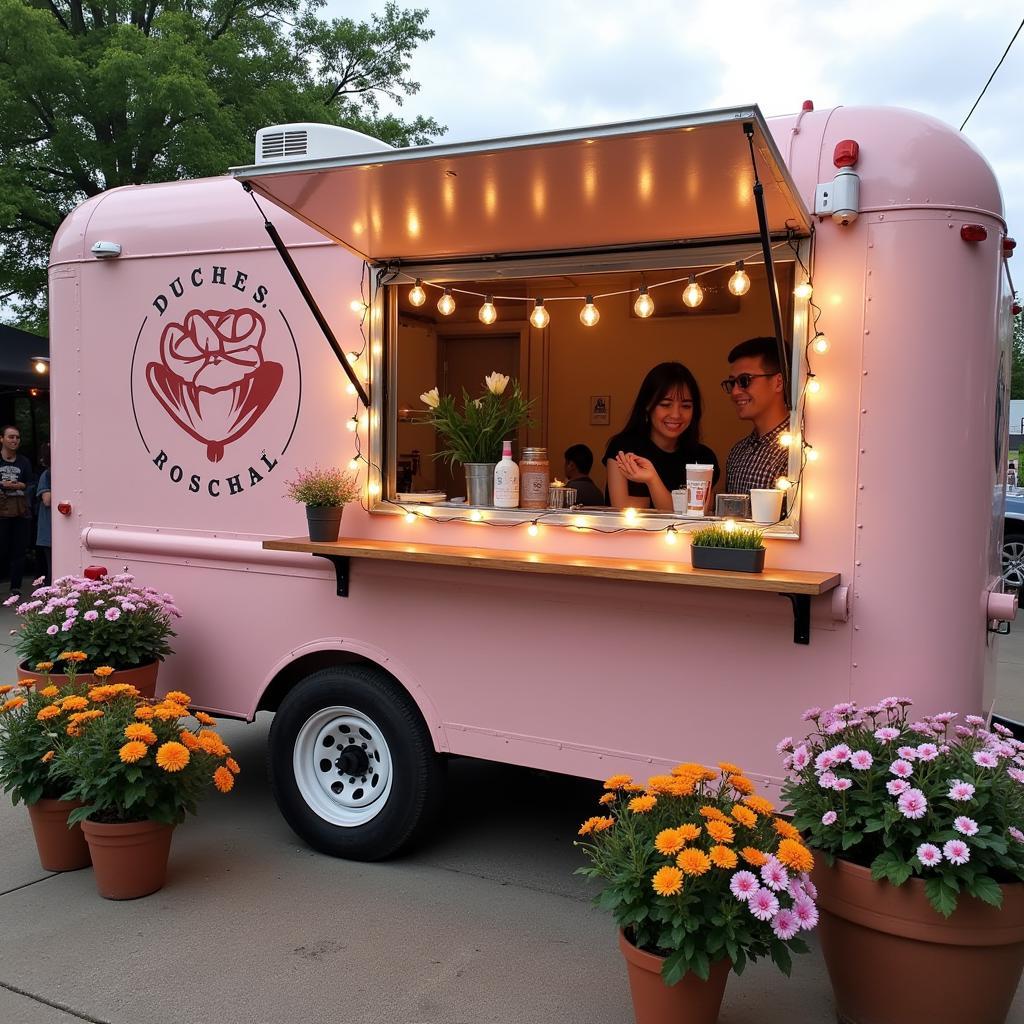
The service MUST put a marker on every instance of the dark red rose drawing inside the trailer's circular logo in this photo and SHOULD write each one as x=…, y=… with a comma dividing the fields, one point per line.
x=212, y=378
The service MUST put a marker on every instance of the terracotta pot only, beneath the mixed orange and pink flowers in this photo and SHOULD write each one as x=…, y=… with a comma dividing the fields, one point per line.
x=690, y=1002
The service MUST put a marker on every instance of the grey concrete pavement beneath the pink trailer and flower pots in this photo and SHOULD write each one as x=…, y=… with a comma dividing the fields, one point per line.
x=487, y=925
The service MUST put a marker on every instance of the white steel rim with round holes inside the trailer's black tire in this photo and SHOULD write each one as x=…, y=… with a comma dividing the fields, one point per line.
x=343, y=766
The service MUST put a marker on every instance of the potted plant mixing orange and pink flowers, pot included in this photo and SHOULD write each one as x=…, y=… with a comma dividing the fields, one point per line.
x=701, y=876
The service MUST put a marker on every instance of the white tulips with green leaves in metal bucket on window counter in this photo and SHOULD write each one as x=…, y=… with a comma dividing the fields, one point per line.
x=474, y=435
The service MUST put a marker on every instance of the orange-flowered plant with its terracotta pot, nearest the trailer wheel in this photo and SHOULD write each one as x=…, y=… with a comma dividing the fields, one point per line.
x=139, y=767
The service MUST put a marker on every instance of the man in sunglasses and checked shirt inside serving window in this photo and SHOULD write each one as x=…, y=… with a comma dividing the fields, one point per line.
x=755, y=386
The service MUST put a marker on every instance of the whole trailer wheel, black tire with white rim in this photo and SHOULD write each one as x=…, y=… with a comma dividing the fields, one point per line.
x=353, y=767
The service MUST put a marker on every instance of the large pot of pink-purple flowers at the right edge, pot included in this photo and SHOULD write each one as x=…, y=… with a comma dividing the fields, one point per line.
x=921, y=828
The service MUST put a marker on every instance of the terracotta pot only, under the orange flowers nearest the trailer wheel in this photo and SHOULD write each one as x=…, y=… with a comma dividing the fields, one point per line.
x=131, y=860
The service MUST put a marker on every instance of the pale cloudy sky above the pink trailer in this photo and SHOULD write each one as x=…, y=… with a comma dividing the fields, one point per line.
x=504, y=68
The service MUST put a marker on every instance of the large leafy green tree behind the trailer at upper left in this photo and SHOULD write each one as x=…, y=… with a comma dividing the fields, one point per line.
x=101, y=94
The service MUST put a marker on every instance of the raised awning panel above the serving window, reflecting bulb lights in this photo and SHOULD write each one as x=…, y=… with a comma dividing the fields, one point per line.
x=682, y=180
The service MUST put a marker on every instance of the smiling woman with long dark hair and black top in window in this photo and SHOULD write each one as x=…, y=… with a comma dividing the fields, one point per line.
x=647, y=461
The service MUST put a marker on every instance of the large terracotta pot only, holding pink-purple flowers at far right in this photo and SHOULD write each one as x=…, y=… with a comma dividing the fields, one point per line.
x=893, y=960
